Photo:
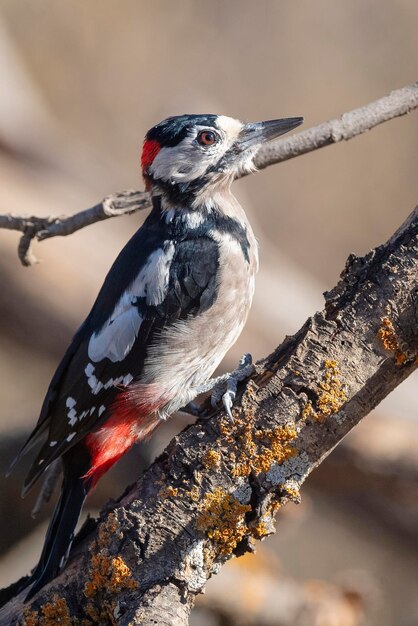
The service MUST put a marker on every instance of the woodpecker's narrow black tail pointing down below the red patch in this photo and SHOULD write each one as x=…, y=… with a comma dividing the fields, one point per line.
x=60, y=533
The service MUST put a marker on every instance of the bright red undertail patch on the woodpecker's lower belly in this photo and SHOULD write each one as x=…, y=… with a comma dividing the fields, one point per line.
x=126, y=425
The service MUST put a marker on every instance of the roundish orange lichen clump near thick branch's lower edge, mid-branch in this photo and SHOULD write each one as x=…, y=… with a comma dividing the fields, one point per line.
x=222, y=519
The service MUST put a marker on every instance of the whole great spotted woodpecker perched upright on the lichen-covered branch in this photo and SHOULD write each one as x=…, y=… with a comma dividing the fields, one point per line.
x=173, y=303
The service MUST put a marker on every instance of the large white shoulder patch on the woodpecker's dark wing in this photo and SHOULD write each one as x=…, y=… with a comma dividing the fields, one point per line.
x=115, y=340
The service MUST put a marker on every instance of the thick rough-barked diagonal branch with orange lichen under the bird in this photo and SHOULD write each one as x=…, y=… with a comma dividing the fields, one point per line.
x=217, y=486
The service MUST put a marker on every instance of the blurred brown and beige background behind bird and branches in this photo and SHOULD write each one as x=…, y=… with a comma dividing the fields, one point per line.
x=80, y=83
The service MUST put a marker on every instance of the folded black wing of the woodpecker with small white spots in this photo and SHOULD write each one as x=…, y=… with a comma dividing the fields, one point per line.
x=73, y=407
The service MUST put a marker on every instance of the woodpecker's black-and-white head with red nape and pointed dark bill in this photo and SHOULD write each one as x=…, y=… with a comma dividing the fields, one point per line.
x=187, y=153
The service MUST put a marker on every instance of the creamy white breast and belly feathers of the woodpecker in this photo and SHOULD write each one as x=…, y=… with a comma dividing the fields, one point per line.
x=204, y=338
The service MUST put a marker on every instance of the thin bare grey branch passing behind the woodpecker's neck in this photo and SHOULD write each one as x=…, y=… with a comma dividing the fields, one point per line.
x=349, y=125
